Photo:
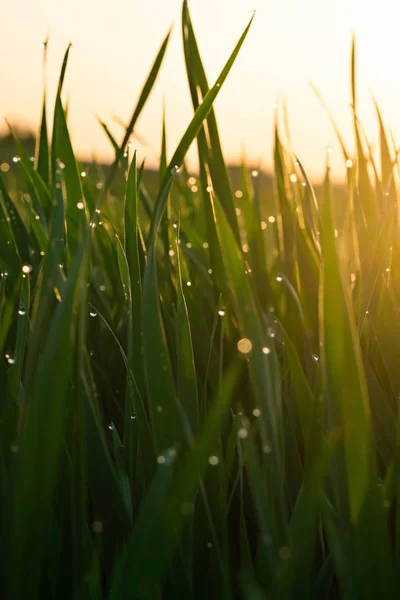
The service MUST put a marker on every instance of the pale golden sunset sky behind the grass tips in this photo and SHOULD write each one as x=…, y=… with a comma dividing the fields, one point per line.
x=290, y=43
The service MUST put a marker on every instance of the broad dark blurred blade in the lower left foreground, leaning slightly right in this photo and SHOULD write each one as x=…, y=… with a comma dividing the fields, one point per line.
x=36, y=475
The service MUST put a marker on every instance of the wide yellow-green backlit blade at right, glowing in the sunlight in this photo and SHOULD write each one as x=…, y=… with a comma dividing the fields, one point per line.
x=347, y=405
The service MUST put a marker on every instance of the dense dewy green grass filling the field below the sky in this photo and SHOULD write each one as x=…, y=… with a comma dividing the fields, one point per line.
x=199, y=388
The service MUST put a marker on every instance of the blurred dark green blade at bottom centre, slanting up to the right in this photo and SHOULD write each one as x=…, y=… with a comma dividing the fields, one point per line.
x=157, y=528
